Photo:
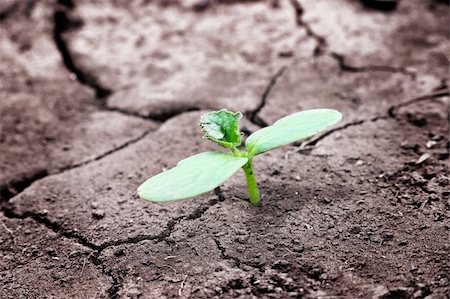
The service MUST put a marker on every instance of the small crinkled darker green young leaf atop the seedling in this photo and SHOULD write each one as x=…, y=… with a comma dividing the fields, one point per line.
x=222, y=127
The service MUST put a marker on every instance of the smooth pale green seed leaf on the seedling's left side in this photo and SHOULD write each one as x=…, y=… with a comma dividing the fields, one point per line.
x=192, y=176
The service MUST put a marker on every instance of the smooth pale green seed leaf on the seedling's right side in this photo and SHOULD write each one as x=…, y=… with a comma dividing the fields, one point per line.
x=291, y=128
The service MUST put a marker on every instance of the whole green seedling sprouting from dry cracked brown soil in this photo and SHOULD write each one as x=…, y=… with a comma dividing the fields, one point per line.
x=203, y=172
